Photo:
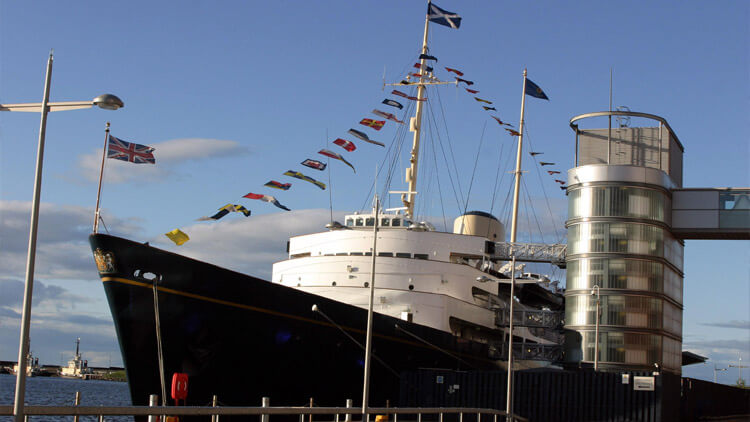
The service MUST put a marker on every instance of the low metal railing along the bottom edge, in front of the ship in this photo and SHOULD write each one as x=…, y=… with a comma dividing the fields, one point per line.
x=267, y=414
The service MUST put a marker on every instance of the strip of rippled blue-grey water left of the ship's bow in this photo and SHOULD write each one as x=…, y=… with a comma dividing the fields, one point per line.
x=54, y=391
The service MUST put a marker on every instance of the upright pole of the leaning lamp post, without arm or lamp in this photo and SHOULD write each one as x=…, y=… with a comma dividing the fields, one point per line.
x=18, y=412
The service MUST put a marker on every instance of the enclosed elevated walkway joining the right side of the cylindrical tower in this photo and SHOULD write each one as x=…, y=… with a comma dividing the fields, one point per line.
x=711, y=213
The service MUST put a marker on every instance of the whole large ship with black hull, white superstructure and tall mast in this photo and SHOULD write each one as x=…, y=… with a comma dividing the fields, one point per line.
x=437, y=298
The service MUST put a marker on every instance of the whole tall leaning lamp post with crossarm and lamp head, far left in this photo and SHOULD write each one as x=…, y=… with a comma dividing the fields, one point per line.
x=106, y=101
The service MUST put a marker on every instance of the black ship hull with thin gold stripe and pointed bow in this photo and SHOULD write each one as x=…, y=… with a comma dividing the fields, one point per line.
x=242, y=338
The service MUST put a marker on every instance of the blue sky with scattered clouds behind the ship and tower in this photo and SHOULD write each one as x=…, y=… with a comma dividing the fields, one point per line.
x=232, y=94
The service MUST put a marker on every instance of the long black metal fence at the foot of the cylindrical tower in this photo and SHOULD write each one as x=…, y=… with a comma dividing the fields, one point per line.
x=555, y=395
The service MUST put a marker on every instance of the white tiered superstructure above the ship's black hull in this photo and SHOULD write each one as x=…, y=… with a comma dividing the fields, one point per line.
x=446, y=281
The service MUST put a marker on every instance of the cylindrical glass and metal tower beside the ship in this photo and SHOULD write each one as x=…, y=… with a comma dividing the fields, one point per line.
x=620, y=239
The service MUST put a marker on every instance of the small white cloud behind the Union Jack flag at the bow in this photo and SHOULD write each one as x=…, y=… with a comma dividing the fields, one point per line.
x=167, y=153
